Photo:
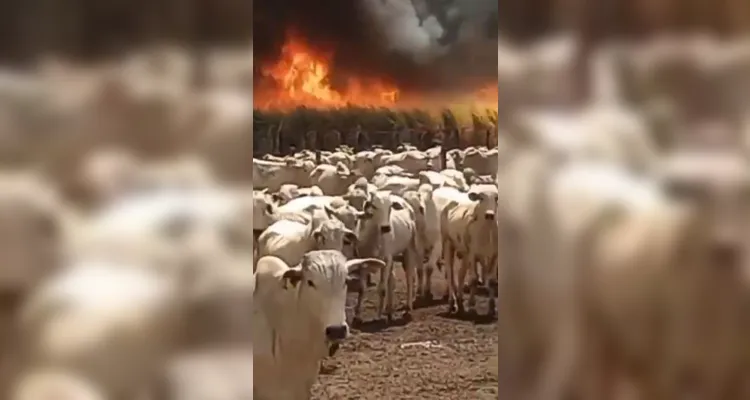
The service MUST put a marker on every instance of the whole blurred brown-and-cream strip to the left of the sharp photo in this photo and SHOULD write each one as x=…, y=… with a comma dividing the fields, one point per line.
x=102, y=101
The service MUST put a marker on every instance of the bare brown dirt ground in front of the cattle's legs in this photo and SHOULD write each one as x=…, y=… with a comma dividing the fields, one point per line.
x=432, y=356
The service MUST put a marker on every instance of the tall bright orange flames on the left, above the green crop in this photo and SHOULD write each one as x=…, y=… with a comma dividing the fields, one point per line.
x=301, y=76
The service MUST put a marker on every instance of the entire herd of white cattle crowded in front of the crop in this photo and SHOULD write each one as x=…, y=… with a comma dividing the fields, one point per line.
x=325, y=222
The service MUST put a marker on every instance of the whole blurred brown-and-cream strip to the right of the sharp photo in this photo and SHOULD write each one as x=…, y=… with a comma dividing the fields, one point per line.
x=651, y=97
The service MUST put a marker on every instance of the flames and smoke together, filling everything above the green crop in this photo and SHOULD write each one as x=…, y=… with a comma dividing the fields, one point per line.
x=393, y=53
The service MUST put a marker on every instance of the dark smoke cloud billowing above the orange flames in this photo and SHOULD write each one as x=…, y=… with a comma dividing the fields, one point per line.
x=384, y=38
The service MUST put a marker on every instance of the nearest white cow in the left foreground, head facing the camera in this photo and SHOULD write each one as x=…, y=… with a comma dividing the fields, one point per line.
x=299, y=319
